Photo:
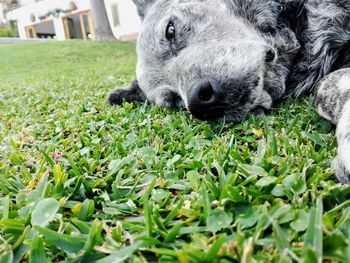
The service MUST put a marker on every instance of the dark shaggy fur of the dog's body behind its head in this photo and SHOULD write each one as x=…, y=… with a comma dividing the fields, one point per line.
x=326, y=42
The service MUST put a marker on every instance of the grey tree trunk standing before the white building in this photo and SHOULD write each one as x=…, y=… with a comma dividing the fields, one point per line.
x=103, y=31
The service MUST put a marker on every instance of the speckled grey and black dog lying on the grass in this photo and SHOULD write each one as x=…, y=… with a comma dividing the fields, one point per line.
x=225, y=58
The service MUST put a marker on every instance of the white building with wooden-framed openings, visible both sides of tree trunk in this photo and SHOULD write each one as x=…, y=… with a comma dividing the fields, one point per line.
x=67, y=19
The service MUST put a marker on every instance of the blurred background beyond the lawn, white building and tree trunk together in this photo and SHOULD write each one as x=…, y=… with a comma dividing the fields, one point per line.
x=28, y=20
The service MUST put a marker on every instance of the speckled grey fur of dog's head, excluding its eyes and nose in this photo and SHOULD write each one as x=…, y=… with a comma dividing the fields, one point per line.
x=222, y=40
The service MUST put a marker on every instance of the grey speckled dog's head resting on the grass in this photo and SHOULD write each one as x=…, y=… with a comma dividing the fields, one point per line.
x=203, y=55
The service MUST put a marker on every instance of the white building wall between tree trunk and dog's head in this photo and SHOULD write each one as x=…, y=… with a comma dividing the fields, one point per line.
x=128, y=17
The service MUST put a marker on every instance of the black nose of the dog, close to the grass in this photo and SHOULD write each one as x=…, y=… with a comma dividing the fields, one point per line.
x=205, y=101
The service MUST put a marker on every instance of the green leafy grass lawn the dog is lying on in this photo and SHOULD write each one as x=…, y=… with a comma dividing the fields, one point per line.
x=81, y=181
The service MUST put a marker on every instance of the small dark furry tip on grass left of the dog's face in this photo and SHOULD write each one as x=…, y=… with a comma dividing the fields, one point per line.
x=131, y=94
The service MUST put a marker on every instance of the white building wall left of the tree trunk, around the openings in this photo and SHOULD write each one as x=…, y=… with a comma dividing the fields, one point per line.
x=22, y=14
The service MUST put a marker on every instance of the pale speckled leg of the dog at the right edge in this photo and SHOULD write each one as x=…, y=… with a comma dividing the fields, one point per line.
x=333, y=103
